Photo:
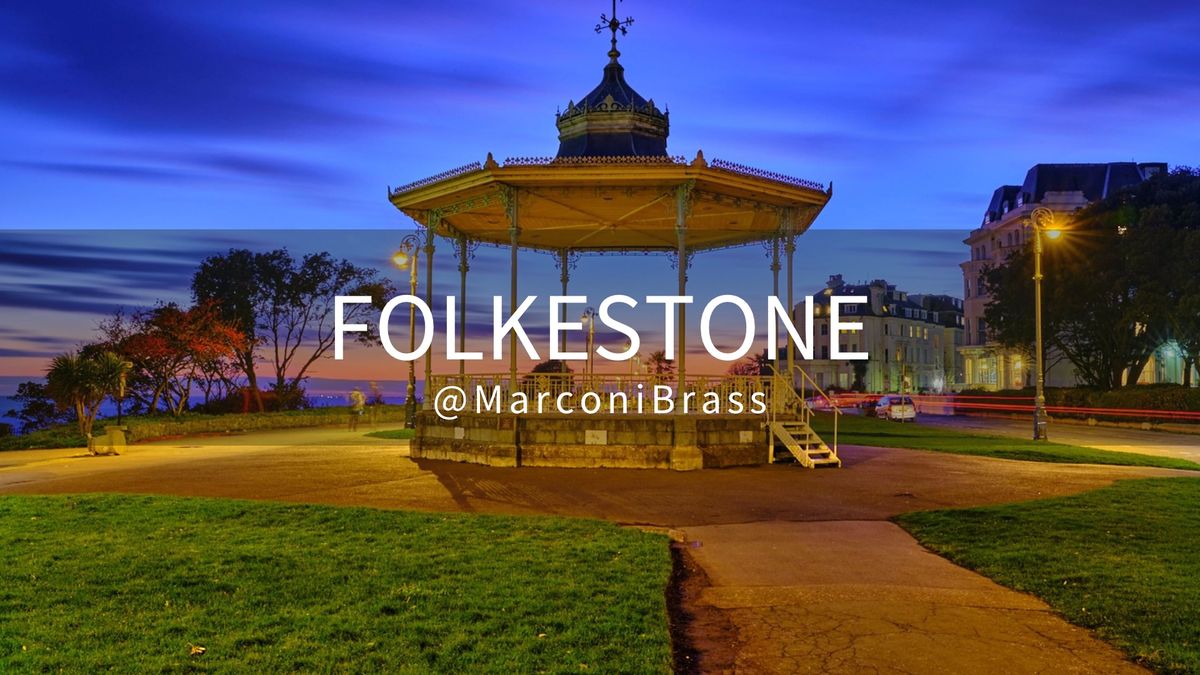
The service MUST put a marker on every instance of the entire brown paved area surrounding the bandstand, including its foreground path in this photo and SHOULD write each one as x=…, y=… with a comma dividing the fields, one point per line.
x=803, y=564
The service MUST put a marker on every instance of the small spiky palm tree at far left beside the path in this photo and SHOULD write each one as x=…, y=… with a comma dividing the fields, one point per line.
x=83, y=383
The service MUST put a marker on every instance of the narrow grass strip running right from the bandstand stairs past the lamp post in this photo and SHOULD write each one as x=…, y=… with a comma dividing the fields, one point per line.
x=861, y=431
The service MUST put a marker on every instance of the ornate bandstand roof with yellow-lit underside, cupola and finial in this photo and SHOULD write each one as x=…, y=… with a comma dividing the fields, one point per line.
x=613, y=187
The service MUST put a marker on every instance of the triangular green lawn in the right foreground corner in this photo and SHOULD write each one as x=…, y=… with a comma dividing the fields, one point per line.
x=1123, y=560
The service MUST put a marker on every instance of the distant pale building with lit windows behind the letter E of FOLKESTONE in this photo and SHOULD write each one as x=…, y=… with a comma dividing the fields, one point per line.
x=910, y=339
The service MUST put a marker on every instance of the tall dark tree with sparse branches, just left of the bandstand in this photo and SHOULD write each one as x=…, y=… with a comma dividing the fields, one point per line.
x=286, y=308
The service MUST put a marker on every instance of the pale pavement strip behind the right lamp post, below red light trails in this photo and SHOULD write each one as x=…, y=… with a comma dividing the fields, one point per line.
x=1185, y=446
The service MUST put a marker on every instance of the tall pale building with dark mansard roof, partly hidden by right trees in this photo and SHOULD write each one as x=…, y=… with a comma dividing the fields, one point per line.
x=1006, y=229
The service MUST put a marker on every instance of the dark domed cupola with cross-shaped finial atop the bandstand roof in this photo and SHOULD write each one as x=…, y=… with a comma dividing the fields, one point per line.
x=613, y=120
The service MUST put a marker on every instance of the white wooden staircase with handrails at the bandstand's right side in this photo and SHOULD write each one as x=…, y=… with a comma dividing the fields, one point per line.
x=791, y=428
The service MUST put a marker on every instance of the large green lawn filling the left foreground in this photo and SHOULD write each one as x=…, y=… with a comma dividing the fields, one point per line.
x=134, y=583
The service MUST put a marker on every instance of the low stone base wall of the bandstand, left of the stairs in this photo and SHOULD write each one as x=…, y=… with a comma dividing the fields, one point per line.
x=676, y=443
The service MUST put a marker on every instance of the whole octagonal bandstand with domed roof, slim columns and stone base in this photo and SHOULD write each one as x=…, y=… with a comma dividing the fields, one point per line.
x=614, y=189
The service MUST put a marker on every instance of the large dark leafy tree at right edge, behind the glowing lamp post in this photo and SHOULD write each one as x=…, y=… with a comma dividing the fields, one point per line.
x=1118, y=285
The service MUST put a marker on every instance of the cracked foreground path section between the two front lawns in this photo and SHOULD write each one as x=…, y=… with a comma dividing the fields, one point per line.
x=865, y=598
